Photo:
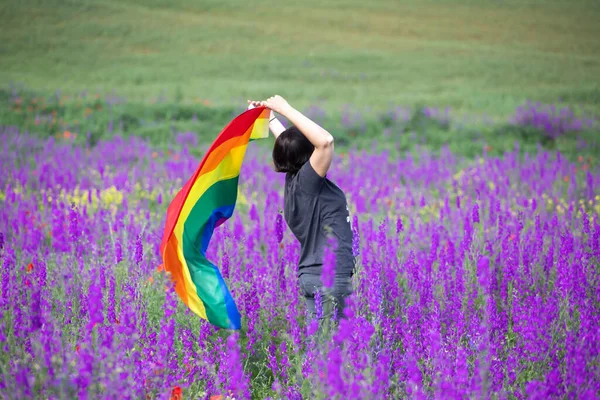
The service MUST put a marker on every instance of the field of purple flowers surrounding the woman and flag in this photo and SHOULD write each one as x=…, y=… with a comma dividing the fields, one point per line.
x=476, y=279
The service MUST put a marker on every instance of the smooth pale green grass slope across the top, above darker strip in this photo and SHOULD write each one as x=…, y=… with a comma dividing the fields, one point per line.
x=474, y=56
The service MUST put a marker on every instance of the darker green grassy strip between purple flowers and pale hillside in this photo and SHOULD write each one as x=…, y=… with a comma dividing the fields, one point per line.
x=88, y=118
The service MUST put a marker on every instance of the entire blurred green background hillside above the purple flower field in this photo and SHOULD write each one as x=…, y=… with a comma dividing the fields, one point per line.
x=449, y=72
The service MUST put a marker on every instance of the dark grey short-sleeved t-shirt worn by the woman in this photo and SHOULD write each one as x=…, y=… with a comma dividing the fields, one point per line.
x=315, y=207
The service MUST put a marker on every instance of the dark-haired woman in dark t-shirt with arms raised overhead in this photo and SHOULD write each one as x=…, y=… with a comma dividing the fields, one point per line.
x=315, y=209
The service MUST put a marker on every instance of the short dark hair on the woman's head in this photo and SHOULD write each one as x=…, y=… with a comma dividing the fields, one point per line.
x=291, y=151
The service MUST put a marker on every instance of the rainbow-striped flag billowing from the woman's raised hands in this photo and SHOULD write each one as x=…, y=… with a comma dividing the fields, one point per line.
x=205, y=202
